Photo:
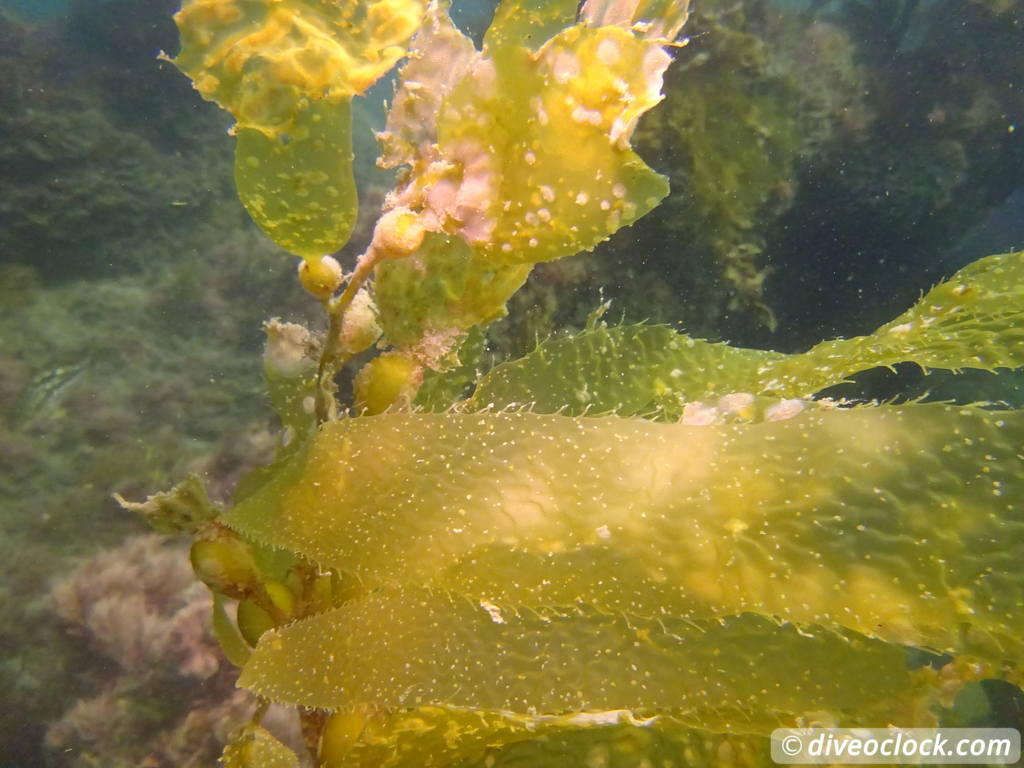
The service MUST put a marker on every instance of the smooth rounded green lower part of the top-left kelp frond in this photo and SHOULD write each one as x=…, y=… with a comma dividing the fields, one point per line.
x=300, y=187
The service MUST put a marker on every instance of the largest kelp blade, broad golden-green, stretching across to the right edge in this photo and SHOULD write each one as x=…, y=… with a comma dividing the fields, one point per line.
x=900, y=523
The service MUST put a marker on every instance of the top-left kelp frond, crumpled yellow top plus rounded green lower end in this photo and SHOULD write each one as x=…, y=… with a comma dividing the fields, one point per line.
x=287, y=71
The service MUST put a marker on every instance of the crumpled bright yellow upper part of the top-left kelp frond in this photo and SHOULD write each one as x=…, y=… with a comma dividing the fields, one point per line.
x=264, y=61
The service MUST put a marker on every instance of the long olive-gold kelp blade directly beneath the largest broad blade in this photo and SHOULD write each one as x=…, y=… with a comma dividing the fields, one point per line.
x=744, y=674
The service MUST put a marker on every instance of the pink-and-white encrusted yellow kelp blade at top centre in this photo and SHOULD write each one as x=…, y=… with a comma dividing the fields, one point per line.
x=494, y=169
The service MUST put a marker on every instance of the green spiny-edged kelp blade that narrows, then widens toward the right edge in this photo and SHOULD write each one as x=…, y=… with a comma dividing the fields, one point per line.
x=974, y=320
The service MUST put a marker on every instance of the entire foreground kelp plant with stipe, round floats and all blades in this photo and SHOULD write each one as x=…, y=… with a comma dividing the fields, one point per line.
x=629, y=546
